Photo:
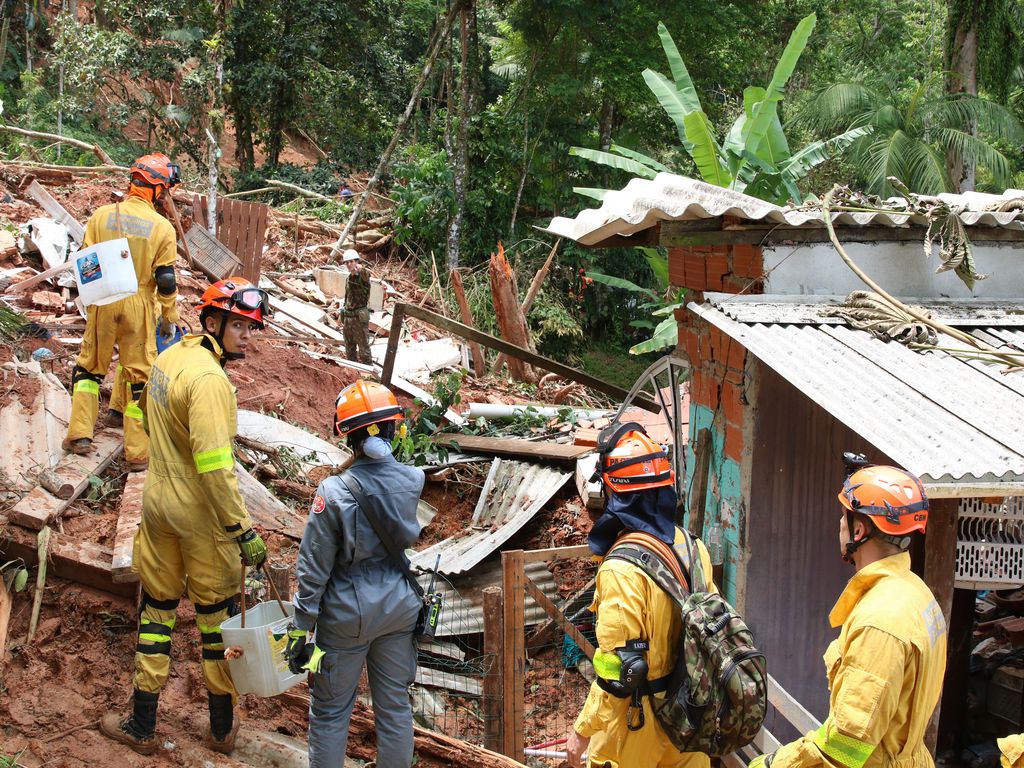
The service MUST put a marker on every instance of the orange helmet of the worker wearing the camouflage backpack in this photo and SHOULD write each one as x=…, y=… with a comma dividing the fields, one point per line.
x=632, y=461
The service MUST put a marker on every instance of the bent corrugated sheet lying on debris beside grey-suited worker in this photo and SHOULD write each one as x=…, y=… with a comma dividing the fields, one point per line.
x=515, y=492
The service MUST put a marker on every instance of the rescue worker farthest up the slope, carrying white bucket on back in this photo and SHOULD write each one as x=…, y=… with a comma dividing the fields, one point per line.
x=129, y=324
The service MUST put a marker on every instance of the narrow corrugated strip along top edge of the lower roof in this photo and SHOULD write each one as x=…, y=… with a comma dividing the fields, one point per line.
x=809, y=310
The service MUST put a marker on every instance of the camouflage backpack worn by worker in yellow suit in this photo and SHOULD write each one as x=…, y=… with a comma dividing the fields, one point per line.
x=717, y=694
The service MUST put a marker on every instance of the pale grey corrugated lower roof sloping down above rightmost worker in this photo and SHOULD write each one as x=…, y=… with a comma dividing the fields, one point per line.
x=948, y=420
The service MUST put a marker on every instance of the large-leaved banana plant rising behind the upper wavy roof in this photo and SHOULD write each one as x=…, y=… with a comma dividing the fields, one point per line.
x=755, y=157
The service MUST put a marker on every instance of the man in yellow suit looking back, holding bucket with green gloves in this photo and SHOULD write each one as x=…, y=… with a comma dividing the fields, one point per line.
x=195, y=524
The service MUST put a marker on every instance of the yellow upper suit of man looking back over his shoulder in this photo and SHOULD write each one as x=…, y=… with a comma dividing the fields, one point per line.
x=191, y=414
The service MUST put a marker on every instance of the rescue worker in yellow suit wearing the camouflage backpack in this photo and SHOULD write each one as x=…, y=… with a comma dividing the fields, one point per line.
x=641, y=496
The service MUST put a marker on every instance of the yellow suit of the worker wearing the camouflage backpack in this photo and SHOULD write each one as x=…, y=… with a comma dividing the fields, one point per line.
x=630, y=606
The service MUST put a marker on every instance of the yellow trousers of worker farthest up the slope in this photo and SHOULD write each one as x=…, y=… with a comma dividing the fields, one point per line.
x=130, y=325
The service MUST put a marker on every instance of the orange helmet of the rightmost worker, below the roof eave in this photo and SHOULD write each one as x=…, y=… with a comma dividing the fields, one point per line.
x=893, y=498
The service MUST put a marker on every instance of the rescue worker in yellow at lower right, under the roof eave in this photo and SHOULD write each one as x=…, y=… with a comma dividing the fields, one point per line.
x=885, y=670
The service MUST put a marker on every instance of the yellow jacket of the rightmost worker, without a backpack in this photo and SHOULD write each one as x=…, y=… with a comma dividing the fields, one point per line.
x=885, y=674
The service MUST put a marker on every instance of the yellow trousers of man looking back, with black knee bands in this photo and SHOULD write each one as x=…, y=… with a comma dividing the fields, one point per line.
x=174, y=543
